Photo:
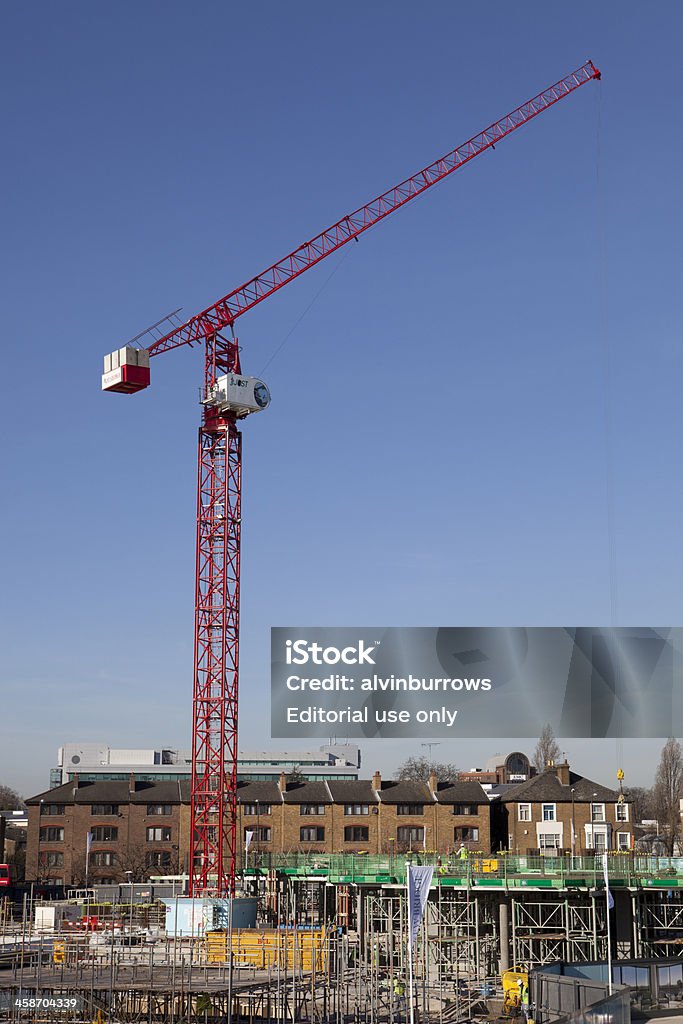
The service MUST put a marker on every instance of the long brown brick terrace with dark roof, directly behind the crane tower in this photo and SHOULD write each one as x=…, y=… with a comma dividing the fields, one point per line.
x=143, y=828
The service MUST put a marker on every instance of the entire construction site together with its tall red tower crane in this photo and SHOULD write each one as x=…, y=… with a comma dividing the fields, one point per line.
x=325, y=938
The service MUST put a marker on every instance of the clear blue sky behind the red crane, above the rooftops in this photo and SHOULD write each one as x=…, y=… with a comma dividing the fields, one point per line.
x=437, y=450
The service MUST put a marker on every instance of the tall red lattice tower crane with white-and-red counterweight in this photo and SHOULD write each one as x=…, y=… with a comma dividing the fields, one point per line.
x=228, y=398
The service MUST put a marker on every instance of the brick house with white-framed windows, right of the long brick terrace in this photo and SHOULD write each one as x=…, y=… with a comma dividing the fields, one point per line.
x=560, y=810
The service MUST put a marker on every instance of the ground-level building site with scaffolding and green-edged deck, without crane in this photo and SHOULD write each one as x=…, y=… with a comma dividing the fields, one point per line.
x=330, y=944
